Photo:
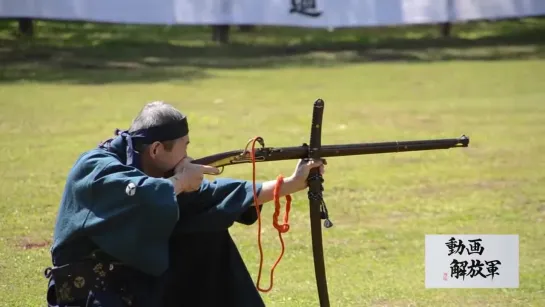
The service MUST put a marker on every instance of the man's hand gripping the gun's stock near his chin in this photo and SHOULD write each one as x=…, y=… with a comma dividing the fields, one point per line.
x=189, y=176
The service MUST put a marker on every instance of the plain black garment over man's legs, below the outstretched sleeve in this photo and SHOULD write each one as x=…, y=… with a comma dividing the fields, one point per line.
x=208, y=271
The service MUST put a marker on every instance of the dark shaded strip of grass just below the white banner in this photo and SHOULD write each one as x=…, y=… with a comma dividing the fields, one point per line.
x=100, y=53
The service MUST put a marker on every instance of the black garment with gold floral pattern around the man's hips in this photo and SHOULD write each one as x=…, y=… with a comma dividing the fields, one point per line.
x=98, y=280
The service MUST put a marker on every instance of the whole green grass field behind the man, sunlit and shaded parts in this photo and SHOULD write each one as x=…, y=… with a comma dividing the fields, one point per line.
x=70, y=87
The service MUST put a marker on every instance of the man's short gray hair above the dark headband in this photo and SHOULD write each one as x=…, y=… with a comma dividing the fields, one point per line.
x=154, y=114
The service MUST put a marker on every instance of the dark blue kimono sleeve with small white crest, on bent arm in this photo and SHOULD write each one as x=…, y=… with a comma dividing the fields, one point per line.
x=130, y=215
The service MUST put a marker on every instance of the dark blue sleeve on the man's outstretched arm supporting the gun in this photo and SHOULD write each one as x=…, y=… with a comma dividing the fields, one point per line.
x=217, y=205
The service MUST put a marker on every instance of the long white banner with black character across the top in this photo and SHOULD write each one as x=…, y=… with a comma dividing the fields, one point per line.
x=299, y=13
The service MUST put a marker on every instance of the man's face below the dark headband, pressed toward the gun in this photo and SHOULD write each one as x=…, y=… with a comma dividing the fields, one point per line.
x=165, y=159
